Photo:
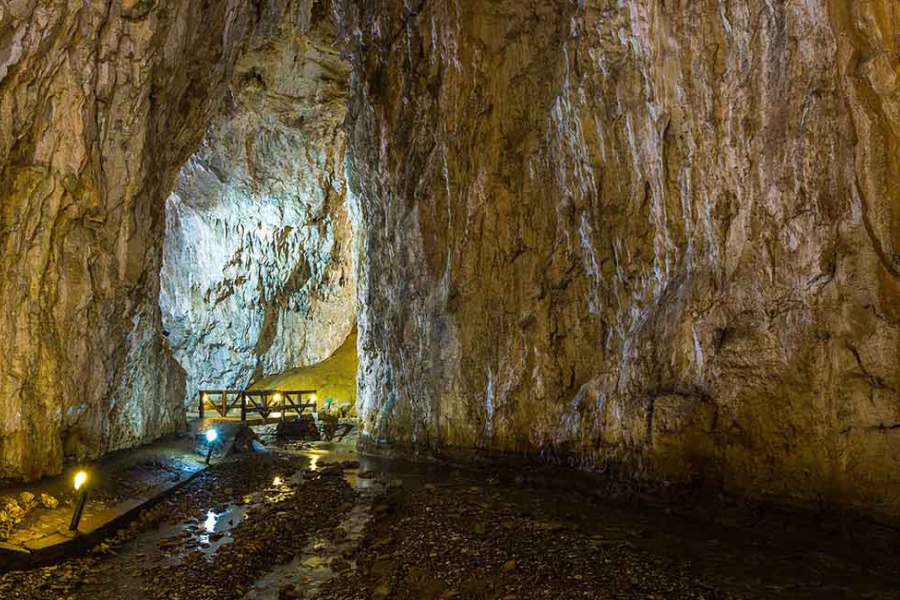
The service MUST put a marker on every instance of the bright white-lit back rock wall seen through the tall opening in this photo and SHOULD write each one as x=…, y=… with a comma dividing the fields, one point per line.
x=257, y=270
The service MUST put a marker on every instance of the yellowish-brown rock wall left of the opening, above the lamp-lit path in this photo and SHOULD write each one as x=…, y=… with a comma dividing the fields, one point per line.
x=101, y=103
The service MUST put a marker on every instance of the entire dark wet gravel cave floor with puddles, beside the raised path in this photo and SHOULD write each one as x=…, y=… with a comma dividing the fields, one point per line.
x=336, y=526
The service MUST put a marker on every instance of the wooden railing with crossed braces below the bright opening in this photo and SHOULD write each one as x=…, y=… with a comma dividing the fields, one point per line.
x=262, y=402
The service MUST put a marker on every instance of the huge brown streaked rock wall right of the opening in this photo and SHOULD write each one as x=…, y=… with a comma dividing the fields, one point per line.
x=654, y=235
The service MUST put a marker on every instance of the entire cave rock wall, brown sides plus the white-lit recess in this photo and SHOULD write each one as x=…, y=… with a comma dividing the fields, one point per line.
x=656, y=236
